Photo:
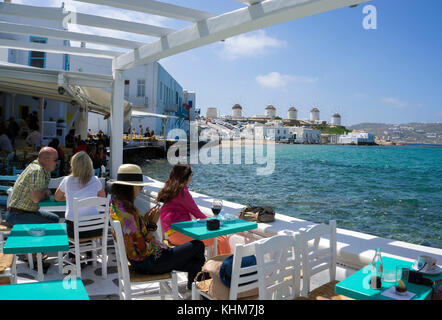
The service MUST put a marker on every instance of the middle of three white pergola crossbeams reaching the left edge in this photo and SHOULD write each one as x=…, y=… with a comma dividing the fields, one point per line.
x=16, y=28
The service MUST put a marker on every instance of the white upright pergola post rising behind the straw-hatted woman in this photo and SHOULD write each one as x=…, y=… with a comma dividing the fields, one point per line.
x=117, y=118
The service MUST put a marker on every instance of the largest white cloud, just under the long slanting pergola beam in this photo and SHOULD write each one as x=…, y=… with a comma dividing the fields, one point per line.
x=247, y=45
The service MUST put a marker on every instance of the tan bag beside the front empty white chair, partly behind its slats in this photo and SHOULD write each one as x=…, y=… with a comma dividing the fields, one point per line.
x=209, y=281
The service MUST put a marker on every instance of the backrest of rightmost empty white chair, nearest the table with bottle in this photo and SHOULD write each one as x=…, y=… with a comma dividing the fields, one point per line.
x=314, y=258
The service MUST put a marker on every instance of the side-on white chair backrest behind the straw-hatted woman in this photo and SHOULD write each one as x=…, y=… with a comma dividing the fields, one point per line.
x=122, y=262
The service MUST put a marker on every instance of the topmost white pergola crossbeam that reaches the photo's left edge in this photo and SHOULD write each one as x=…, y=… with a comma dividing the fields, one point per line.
x=82, y=19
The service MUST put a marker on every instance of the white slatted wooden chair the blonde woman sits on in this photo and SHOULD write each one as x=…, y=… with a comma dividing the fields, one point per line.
x=88, y=223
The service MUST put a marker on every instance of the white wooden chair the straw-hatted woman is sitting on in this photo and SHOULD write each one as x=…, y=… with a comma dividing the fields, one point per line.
x=134, y=285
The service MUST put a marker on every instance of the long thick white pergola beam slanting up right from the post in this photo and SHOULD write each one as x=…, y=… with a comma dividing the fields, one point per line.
x=254, y=17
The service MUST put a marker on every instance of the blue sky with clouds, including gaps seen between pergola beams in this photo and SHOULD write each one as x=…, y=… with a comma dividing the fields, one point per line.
x=392, y=74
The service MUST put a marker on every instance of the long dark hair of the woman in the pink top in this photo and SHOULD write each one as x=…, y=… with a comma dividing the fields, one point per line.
x=175, y=184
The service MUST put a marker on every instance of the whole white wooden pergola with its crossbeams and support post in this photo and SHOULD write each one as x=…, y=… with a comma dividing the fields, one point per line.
x=205, y=28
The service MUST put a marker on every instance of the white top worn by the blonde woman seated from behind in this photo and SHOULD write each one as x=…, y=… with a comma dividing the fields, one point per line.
x=72, y=188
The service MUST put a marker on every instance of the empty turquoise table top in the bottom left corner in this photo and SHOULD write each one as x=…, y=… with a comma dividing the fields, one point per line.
x=46, y=290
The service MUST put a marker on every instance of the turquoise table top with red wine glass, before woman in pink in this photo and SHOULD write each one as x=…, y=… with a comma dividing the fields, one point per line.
x=198, y=229
